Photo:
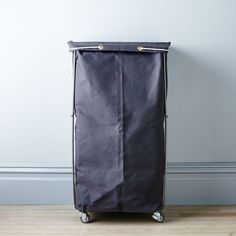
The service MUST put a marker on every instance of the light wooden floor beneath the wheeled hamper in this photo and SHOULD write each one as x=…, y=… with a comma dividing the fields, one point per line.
x=64, y=220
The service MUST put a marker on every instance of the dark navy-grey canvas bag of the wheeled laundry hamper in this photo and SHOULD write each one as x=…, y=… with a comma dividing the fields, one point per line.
x=119, y=134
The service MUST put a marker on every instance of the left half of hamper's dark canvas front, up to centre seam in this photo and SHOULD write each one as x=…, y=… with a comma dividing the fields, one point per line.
x=98, y=166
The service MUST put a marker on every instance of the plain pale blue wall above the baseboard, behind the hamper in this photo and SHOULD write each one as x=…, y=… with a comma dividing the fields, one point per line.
x=36, y=87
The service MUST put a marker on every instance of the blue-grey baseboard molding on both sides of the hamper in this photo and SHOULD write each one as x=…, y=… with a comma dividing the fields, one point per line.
x=186, y=183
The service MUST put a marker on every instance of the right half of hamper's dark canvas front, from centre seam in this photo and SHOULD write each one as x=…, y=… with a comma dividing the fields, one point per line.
x=143, y=125
